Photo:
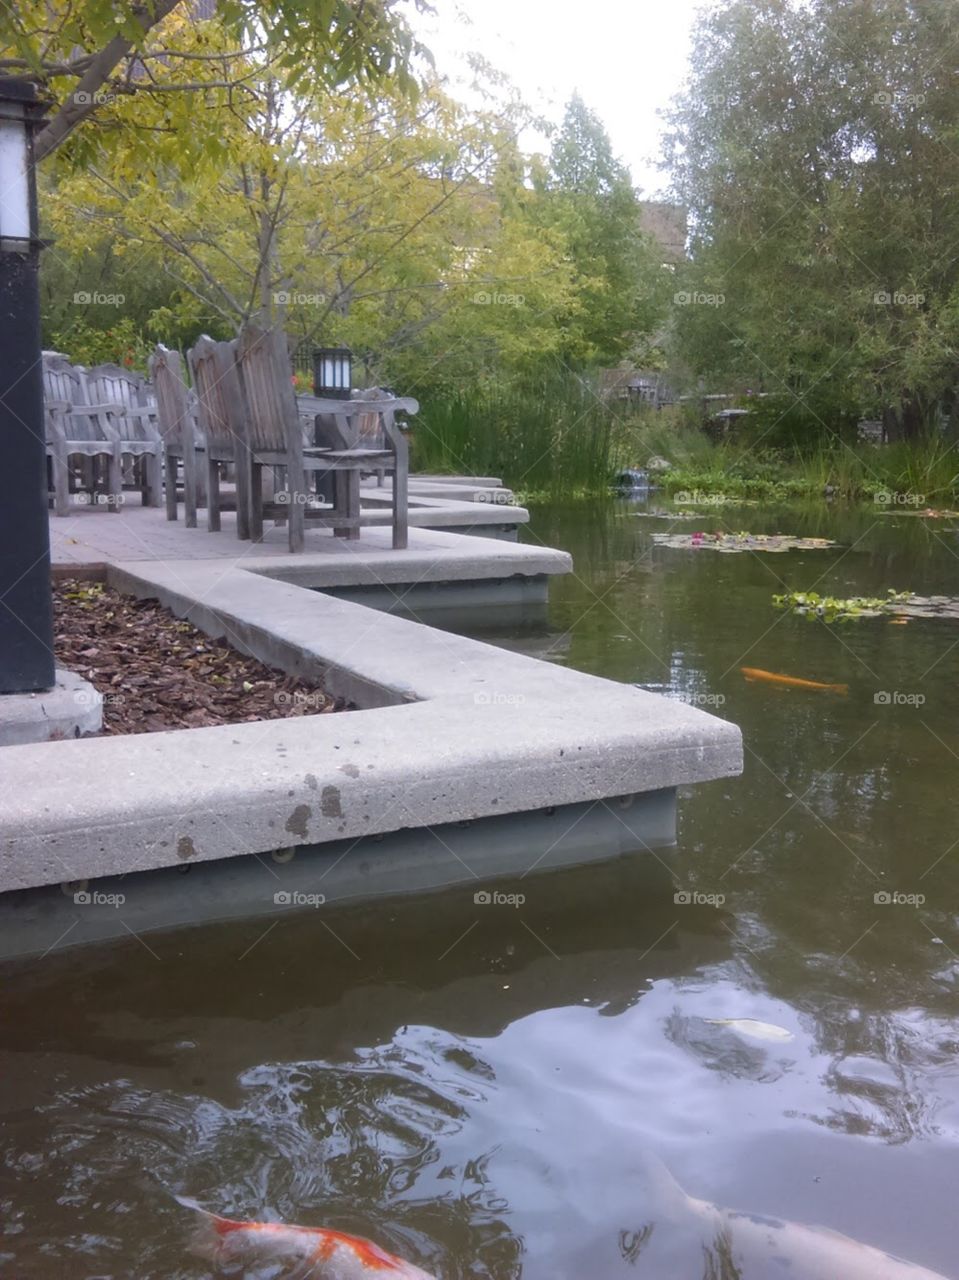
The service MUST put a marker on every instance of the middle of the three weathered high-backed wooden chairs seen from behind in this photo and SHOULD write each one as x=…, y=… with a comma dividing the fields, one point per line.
x=220, y=401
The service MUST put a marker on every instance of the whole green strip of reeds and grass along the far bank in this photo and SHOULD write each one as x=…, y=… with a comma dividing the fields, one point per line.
x=552, y=437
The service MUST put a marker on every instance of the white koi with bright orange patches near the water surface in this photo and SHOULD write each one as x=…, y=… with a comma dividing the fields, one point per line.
x=303, y=1252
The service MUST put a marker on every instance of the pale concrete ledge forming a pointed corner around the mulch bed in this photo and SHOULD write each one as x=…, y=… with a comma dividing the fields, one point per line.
x=453, y=730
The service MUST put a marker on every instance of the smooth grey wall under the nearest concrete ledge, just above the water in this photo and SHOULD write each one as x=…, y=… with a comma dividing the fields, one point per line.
x=494, y=860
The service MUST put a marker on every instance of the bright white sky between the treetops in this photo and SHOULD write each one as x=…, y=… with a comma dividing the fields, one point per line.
x=627, y=58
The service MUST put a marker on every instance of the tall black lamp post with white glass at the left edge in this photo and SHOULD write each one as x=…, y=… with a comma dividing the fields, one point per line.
x=26, y=601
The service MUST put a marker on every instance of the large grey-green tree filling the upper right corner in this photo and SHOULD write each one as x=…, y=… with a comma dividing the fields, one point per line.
x=818, y=153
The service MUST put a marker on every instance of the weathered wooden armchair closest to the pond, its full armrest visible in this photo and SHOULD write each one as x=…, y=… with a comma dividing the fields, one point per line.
x=272, y=419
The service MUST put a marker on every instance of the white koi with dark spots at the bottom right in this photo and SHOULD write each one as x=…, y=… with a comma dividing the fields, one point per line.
x=734, y=1246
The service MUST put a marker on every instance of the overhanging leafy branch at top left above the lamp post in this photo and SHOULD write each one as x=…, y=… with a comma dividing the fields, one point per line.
x=94, y=58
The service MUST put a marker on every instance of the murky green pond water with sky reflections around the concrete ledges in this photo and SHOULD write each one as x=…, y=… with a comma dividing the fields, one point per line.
x=486, y=1089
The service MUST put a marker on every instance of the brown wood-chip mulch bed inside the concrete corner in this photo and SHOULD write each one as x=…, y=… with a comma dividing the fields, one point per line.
x=158, y=673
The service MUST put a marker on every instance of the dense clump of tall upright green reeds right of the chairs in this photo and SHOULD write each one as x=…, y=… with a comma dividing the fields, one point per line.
x=550, y=436
